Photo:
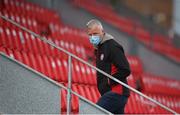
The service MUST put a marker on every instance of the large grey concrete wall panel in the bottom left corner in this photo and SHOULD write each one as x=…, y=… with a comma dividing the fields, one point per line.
x=24, y=92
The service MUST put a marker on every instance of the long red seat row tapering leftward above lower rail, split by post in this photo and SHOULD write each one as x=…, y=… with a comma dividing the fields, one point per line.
x=54, y=67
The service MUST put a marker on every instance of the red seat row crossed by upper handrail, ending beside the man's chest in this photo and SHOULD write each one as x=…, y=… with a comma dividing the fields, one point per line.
x=23, y=41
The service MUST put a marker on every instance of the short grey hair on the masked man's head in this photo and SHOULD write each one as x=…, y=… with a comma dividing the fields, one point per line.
x=94, y=22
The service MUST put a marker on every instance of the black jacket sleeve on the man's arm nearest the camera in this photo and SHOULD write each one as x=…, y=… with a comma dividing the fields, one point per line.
x=119, y=60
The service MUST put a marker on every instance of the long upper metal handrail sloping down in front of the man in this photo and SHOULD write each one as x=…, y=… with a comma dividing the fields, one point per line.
x=83, y=61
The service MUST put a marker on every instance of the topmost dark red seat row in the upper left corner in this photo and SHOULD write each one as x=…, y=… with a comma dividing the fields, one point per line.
x=32, y=10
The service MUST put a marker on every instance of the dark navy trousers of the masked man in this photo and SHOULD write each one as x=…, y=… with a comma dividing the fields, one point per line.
x=113, y=102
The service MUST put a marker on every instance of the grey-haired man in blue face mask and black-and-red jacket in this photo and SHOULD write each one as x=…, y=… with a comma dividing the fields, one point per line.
x=111, y=59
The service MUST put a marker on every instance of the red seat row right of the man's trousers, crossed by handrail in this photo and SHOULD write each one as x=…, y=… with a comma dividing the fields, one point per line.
x=139, y=105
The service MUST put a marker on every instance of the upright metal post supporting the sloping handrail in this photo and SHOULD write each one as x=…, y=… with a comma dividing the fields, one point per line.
x=69, y=85
